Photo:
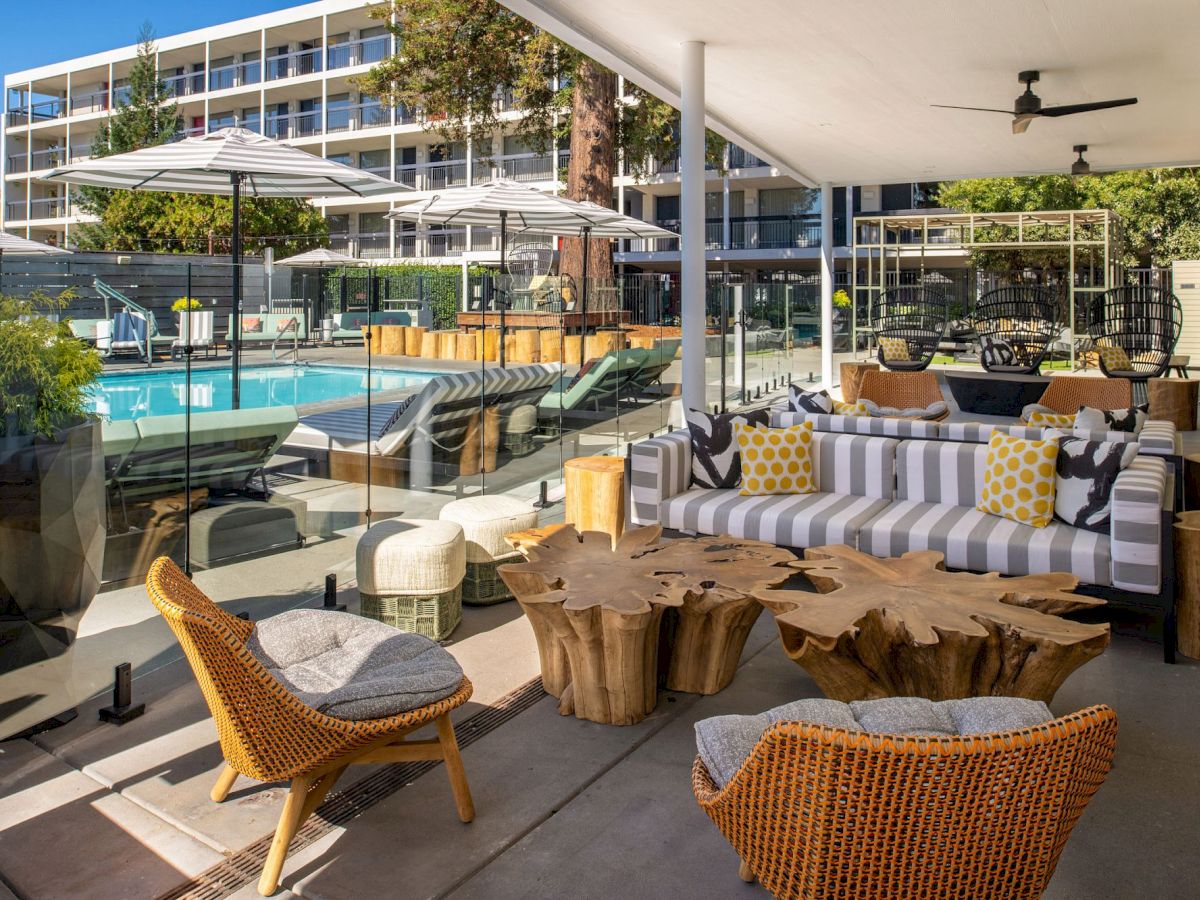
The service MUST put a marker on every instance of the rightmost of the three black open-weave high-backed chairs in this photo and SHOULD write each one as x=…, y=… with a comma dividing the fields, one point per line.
x=1135, y=331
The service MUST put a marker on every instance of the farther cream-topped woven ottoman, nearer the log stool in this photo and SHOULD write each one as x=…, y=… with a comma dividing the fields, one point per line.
x=485, y=521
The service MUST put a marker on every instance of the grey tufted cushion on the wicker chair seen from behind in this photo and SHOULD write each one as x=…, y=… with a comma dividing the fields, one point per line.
x=725, y=742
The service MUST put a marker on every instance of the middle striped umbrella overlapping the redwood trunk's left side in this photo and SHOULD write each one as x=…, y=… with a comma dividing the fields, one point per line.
x=502, y=205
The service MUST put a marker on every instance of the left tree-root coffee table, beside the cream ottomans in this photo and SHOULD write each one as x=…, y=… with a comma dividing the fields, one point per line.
x=598, y=613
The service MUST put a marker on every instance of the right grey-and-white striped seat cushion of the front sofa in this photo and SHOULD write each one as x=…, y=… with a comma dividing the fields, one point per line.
x=982, y=543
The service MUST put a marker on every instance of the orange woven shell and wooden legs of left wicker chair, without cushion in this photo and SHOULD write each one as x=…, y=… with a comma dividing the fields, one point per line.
x=269, y=735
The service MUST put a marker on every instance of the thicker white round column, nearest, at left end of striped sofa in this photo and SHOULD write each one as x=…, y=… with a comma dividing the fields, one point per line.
x=692, y=225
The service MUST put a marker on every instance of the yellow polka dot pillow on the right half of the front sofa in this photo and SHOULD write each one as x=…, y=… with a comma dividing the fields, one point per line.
x=1019, y=479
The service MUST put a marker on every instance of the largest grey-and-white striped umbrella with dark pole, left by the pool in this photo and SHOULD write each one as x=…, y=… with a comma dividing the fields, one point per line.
x=230, y=161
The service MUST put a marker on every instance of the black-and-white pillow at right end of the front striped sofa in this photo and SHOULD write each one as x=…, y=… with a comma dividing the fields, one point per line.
x=1088, y=471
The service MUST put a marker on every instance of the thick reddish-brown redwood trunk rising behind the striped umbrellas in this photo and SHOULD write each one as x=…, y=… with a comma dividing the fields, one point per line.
x=593, y=163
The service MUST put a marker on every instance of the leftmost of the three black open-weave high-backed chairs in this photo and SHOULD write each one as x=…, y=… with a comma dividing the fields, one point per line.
x=913, y=320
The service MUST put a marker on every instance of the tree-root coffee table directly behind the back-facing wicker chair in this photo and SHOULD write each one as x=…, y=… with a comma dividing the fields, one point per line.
x=905, y=627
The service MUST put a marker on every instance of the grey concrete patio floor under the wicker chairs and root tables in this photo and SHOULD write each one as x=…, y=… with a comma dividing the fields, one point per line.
x=566, y=808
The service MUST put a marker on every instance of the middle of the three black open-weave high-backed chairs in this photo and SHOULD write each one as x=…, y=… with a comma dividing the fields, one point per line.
x=1016, y=327
